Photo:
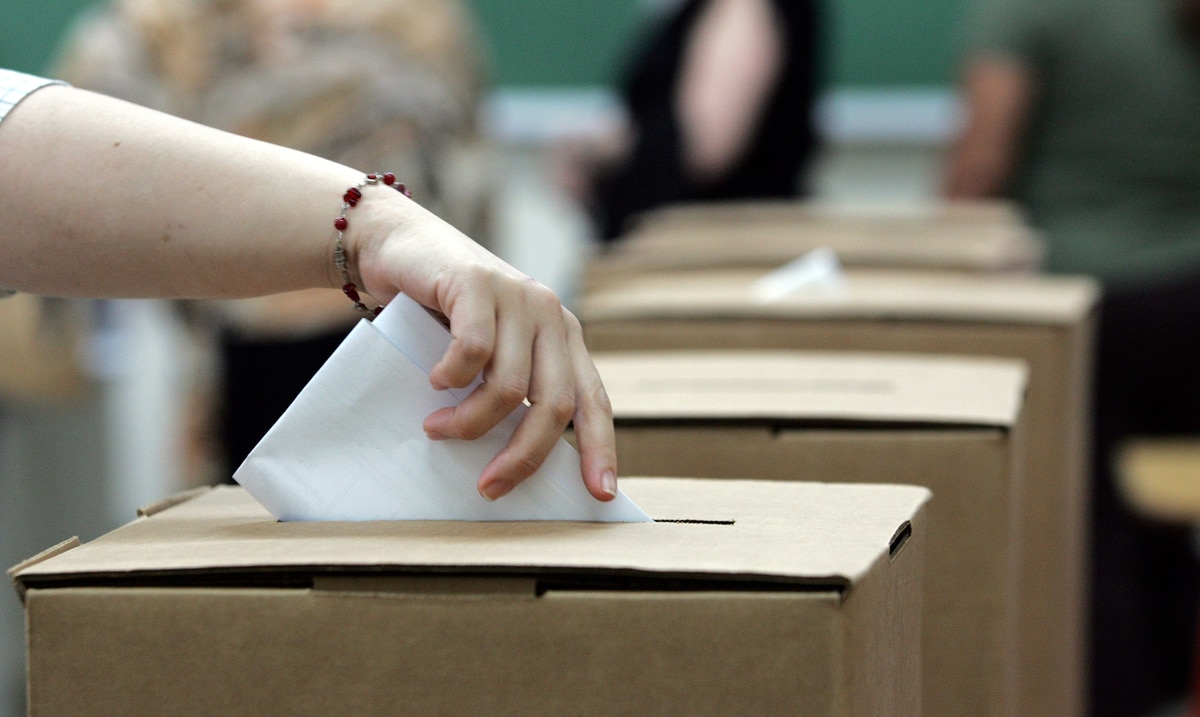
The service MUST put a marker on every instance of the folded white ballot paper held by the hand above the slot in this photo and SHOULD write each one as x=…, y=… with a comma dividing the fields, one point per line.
x=352, y=448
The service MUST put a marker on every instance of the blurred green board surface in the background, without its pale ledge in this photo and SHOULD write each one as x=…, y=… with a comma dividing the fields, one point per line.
x=873, y=44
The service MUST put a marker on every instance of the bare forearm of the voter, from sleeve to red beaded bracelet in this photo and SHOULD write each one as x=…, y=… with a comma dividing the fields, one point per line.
x=105, y=198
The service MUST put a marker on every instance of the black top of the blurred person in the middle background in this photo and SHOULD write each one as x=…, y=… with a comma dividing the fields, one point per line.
x=776, y=159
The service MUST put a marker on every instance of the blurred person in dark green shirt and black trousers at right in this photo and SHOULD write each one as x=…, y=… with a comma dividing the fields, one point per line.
x=1088, y=113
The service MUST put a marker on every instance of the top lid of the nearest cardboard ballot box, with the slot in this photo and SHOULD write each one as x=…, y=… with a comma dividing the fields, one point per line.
x=712, y=532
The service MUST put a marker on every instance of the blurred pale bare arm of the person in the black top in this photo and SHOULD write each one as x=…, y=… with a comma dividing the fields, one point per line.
x=733, y=61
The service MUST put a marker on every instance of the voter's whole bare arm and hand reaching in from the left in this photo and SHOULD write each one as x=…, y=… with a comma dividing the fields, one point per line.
x=104, y=198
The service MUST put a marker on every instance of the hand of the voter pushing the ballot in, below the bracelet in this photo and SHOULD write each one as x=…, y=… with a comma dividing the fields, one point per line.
x=506, y=326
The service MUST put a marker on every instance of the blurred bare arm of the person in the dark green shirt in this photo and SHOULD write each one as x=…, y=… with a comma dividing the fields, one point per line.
x=998, y=97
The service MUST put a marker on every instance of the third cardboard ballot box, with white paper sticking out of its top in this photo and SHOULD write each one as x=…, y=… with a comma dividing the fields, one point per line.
x=1045, y=322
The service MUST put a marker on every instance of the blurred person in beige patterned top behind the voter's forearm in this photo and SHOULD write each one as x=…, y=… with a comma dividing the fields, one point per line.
x=367, y=83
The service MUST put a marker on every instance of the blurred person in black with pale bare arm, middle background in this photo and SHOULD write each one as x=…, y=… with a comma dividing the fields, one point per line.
x=719, y=98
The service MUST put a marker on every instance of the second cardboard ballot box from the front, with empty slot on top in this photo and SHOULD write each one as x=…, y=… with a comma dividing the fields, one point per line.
x=949, y=424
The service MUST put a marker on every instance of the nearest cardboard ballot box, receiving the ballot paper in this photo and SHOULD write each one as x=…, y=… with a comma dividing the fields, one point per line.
x=745, y=599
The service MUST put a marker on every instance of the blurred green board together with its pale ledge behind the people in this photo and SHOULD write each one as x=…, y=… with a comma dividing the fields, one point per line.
x=895, y=61
